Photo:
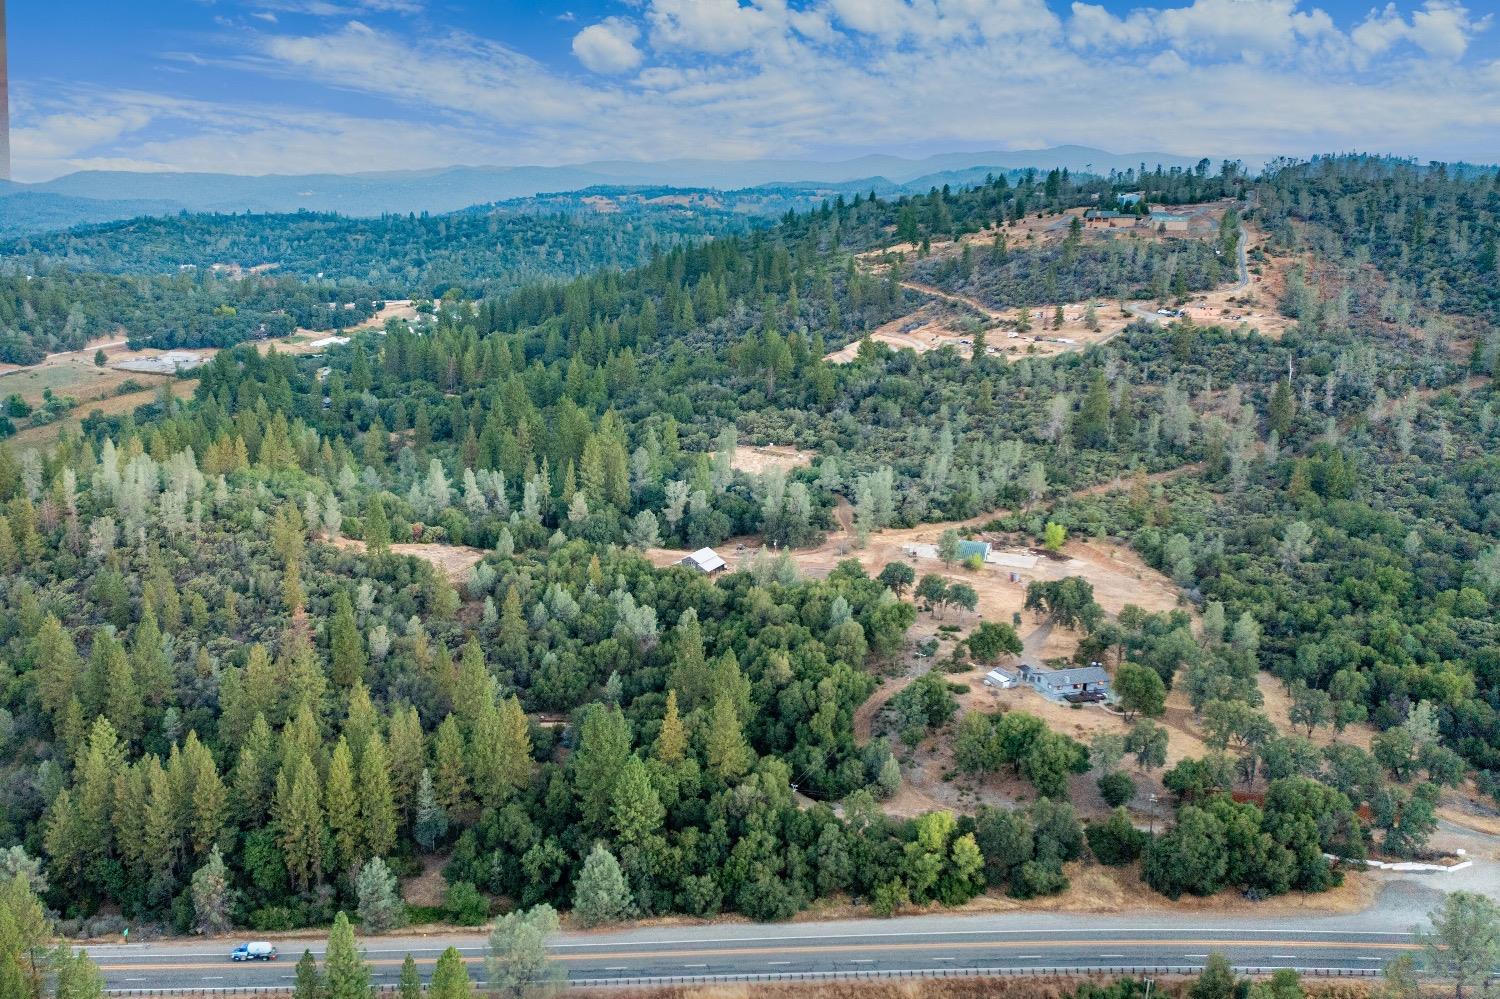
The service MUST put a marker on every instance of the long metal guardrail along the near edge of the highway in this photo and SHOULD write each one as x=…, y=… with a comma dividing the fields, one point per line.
x=812, y=976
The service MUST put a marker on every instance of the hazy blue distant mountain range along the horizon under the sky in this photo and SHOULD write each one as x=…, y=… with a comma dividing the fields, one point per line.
x=106, y=196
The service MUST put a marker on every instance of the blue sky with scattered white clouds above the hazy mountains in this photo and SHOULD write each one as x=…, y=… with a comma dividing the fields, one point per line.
x=302, y=86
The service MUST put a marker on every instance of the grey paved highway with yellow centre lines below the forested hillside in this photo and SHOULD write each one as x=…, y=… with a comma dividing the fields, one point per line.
x=925, y=944
